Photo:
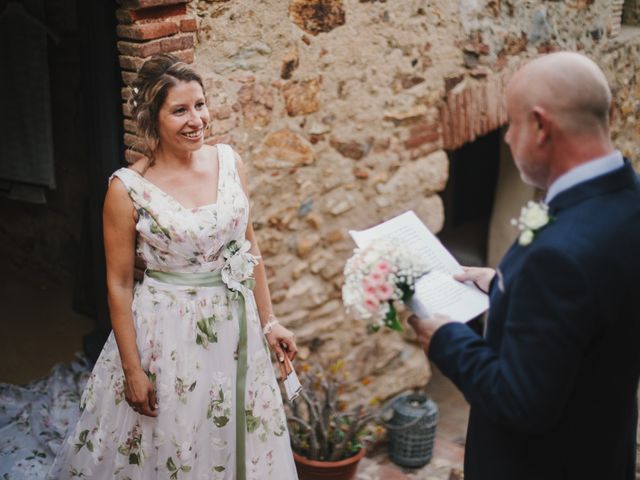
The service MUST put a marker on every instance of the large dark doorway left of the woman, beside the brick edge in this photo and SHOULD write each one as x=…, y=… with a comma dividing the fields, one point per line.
x=51, y=250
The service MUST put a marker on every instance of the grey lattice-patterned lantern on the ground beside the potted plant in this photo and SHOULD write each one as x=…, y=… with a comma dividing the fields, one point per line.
x=412, y=430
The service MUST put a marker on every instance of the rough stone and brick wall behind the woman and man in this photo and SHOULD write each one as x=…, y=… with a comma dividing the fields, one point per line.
x=342, y=110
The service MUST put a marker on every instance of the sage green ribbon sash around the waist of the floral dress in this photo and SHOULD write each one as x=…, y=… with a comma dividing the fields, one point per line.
x=214, y=279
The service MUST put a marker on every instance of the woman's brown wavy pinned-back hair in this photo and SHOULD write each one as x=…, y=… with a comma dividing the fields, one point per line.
x=149, y=91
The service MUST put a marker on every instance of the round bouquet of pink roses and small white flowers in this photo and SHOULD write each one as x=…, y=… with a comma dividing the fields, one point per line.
x=375, y=278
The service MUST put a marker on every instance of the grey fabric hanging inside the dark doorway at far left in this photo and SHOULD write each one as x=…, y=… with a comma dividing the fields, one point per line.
x=26, y=145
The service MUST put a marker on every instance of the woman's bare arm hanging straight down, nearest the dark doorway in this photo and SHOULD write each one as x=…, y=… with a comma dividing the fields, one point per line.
x=119, y=227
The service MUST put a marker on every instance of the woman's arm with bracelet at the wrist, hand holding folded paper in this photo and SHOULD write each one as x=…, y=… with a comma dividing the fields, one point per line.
x=280, y=339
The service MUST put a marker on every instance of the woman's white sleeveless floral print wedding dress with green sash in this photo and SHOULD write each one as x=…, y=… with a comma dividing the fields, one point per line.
x=202, y=347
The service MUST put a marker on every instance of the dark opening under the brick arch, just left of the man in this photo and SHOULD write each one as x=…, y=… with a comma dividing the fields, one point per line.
x=468, y=199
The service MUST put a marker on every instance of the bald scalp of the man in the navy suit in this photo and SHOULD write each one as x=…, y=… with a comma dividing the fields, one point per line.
x=569, y=86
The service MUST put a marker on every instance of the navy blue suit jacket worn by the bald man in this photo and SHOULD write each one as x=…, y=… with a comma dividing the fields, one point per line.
x=553, y=384
